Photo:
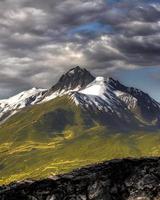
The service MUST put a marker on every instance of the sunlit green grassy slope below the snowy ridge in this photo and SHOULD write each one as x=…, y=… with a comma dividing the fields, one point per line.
x=54, y=138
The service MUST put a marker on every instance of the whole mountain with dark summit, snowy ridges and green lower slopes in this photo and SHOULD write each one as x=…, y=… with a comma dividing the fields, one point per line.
x=81, y=120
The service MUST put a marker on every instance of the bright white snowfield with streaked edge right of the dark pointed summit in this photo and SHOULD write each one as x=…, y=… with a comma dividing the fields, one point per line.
x=97, y=95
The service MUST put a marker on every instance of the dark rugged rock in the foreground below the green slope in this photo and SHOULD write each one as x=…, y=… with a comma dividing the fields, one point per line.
x=126, y=179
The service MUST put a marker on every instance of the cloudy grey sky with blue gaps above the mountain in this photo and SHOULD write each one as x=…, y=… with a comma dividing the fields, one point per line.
x=40, y=39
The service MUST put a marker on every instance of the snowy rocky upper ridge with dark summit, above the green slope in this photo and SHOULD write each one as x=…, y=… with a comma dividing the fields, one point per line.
x=107, y=99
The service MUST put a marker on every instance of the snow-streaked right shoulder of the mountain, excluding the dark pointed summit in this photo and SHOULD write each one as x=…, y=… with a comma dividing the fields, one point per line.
x=119, y=104
